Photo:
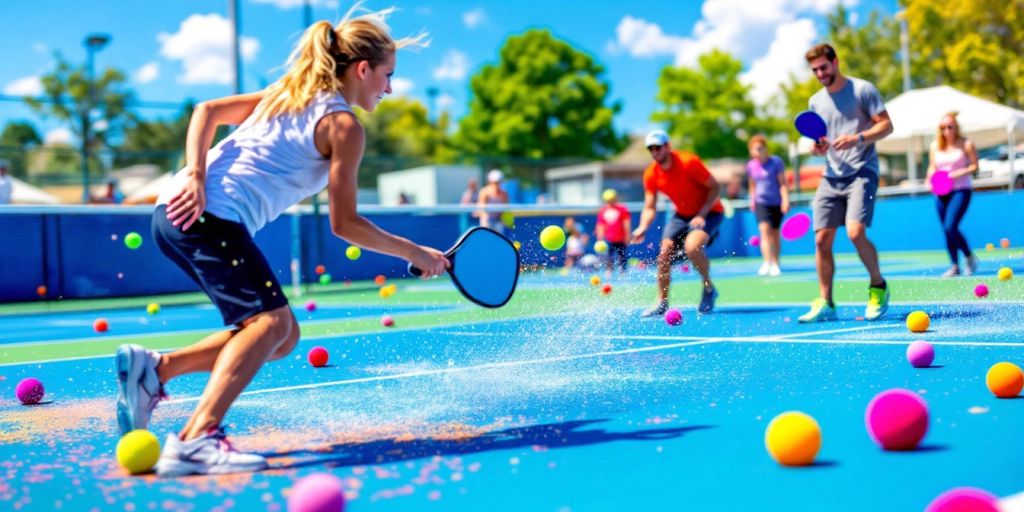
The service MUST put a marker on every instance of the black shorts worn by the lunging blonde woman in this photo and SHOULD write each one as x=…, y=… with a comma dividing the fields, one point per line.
x=222, y=259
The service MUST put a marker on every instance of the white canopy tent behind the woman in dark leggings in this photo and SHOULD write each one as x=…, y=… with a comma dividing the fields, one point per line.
x=916, y=117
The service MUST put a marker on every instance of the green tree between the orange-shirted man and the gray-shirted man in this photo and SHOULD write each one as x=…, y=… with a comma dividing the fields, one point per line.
x=708, y=108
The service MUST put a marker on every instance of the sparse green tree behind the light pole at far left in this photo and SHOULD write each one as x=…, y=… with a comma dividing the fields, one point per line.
x=66, y=91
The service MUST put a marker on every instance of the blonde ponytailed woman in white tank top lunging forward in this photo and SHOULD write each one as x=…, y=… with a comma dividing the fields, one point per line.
x=294, y=139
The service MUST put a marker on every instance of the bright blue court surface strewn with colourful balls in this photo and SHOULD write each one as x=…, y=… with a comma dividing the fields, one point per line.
x=581, y=409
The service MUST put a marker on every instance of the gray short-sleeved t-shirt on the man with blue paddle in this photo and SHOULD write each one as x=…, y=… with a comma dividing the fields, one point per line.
x=847, y=113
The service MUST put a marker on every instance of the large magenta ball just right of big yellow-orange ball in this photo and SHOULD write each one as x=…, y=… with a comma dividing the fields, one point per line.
x=898, y=419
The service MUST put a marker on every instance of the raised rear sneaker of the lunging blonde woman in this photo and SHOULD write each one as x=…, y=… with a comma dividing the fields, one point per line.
x=139, y=387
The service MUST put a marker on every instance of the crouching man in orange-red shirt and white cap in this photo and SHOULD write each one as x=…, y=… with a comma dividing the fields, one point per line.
x=694, y=191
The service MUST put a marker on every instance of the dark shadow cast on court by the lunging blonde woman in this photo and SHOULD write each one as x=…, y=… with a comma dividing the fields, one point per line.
x=554, y=436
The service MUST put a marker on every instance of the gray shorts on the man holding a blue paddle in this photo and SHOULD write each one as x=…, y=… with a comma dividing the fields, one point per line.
x=841, y=200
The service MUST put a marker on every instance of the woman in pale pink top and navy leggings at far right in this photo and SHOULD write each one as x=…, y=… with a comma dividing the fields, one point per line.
x=956, y=155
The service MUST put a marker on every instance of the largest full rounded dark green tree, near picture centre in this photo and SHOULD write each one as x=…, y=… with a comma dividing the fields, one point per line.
x=542, y=100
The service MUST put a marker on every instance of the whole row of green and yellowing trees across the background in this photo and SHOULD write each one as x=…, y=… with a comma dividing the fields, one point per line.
x=543, y=99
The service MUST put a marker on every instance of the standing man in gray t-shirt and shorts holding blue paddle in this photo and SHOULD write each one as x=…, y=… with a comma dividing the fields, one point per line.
x=857, y=118
